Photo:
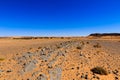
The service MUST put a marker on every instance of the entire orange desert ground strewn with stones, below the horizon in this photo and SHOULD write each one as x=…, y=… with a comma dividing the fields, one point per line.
x=60, y=59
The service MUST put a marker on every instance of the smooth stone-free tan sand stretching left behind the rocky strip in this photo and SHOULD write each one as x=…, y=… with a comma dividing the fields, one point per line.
x=8, y=46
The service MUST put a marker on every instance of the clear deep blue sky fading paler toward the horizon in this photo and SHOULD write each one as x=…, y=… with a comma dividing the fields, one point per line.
x=58, y=17
